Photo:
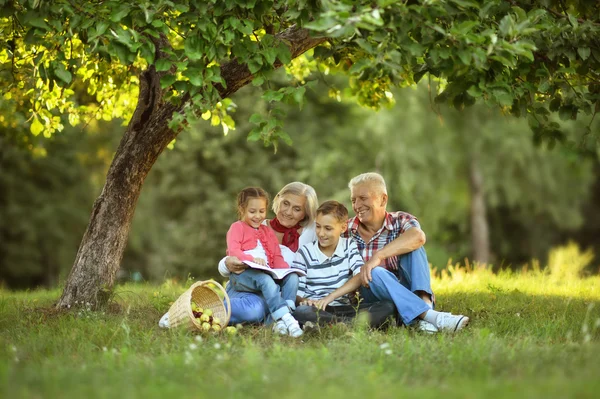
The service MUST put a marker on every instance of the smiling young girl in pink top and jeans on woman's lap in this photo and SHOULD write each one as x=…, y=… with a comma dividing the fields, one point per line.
x=250, y=240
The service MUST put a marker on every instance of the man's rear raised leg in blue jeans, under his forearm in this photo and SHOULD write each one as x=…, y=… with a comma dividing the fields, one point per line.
x=413, y=273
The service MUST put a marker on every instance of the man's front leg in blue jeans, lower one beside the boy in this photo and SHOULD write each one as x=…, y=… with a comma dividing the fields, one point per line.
x=385, y=286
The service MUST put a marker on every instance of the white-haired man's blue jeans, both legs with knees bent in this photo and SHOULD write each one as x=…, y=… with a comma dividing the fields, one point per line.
x=412, y=275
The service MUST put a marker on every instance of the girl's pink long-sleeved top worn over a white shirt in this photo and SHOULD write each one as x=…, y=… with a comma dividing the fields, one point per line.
x=242, y=237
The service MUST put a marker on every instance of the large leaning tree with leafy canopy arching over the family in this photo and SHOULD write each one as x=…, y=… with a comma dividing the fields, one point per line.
x=186, y=56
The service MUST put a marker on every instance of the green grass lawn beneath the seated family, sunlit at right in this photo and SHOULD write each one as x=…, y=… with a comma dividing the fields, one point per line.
x=532, y=335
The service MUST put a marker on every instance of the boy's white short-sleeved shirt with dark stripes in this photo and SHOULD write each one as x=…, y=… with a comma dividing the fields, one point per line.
x=324, y=275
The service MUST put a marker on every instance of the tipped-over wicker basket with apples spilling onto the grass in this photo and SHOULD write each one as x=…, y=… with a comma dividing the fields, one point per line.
x=206, y=295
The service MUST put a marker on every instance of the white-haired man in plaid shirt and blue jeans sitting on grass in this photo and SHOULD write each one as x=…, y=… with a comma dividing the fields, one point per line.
x=396, y=266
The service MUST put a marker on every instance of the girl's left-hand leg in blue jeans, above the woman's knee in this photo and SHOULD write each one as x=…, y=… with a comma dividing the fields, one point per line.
x=255, y=281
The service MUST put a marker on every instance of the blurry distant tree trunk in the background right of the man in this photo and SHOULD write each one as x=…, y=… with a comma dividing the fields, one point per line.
x=479, y=224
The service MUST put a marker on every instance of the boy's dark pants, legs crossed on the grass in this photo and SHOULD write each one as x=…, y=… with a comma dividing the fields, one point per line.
x=378, y=312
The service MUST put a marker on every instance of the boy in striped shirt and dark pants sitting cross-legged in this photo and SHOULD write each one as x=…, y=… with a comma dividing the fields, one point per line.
x=332, y=264
